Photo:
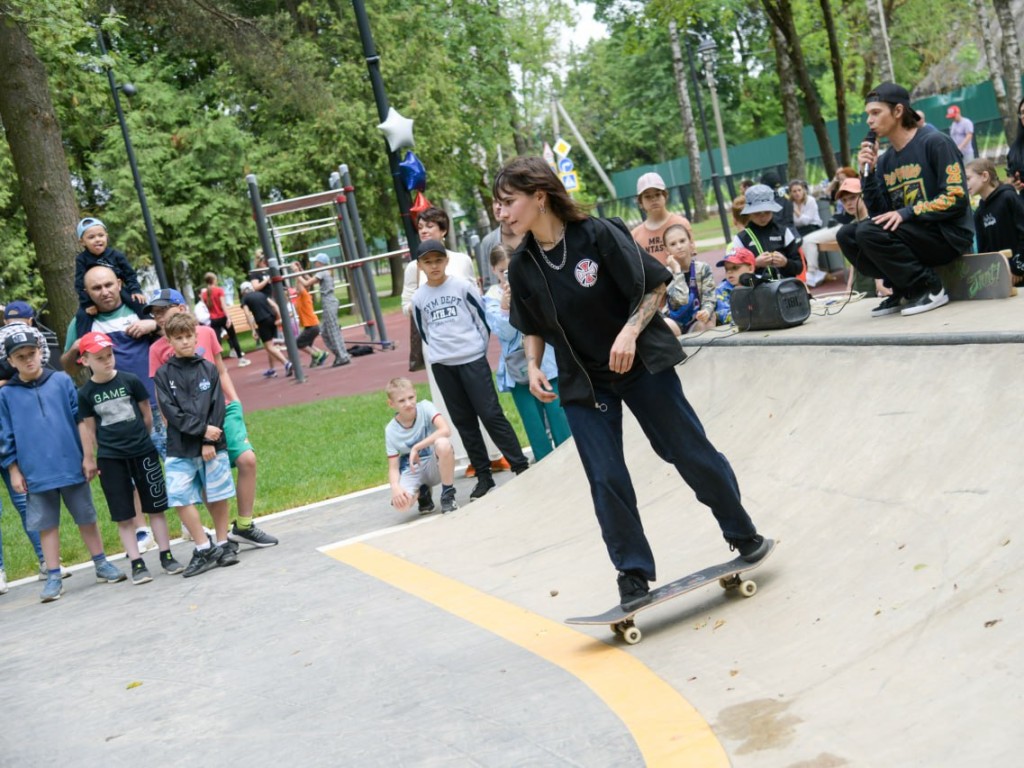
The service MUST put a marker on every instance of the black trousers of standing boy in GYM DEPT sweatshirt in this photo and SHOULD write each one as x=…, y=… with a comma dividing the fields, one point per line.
x=470, y=392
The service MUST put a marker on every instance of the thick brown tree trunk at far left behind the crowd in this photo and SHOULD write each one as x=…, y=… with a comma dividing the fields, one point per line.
x=37, y=151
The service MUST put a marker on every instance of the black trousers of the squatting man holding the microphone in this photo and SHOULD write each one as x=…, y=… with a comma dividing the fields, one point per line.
x=904, y=258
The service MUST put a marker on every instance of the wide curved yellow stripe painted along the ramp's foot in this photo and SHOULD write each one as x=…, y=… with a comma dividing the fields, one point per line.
x=667, y=729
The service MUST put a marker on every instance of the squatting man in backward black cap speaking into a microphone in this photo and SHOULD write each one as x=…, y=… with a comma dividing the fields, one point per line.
x=917, y=196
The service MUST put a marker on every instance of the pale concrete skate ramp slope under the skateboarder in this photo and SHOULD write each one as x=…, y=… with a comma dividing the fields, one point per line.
x=887, y=629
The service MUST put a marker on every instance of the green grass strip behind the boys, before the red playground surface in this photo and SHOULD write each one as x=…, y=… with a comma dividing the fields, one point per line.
x=307, y=454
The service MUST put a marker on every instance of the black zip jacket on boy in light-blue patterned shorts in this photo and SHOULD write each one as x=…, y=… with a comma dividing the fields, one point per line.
x=191, y=399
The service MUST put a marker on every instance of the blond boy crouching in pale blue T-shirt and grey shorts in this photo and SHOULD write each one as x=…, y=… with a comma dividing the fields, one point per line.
x=419, y=452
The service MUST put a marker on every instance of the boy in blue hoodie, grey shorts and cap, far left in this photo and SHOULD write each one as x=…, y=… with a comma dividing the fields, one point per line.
x=41, y=448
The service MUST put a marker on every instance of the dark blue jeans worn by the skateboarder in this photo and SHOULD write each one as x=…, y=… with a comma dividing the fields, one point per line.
x=677, y=437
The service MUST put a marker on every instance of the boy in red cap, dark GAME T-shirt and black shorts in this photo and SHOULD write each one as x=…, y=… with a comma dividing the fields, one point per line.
x=115, y=429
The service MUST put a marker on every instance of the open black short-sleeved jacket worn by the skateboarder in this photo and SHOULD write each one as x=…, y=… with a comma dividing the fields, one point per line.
x=533, y=309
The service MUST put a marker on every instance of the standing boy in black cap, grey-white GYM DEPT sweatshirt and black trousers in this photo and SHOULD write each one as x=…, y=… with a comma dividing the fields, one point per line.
x=450, y=316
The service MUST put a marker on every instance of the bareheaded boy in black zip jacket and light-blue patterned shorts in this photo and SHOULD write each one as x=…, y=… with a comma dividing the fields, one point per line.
x=190, y=398
